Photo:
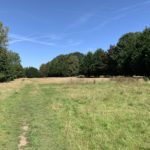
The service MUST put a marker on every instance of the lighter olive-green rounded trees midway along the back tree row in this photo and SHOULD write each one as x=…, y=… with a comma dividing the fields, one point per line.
x=65, y=65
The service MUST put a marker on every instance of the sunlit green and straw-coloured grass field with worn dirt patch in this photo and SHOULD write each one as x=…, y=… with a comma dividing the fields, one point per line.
x=75, y=114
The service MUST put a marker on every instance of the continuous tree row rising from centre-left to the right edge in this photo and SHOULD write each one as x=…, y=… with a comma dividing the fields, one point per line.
x=130, y=56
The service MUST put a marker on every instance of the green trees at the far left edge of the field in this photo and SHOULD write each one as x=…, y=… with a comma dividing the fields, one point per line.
x=10, y=66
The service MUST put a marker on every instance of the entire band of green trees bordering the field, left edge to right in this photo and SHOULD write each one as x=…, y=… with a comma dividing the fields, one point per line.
x=130, y=56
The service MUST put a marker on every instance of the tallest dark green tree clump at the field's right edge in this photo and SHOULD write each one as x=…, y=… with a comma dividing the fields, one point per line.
x=131, y=55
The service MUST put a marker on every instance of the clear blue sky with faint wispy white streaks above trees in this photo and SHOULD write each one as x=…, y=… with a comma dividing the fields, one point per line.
x=40, y=30
